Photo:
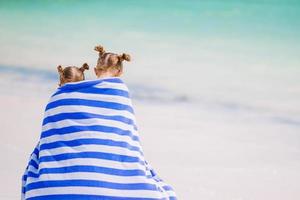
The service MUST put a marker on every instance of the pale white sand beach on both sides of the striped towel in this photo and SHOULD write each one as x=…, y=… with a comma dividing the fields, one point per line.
x=203, y=152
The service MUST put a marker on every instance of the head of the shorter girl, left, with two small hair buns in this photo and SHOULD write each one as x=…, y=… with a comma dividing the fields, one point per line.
x=71, y=74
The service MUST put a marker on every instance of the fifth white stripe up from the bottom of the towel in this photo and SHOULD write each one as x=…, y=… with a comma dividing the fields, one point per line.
x=92, y=135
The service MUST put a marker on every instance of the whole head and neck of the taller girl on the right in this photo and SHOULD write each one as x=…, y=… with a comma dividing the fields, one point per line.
x=109, y=64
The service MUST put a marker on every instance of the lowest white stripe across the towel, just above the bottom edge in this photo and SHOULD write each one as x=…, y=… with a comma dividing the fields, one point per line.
x=93, y=191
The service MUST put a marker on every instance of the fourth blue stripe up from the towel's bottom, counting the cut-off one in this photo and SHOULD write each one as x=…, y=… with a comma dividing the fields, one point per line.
x=91, y=154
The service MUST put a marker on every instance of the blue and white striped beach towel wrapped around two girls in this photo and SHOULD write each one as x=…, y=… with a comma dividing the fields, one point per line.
x=89, y=148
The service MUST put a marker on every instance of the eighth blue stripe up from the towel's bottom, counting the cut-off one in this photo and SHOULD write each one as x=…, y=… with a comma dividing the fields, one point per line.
x=89, y=103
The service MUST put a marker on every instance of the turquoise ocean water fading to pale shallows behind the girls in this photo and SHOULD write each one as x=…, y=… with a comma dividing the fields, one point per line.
x=244, y=54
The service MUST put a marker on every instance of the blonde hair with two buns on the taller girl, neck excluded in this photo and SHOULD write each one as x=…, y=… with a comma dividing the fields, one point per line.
x=108, y=60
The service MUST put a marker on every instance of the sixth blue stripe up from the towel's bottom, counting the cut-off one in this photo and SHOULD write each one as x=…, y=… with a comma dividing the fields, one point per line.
x=99, y=128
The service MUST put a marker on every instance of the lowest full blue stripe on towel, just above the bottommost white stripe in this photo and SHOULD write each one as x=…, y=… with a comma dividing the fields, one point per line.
x=90, y=183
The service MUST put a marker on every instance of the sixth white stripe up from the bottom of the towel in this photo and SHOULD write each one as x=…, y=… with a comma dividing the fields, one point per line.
x=89, y=122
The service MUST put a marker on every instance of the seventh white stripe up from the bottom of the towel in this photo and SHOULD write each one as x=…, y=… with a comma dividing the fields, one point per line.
x=88, y=109
